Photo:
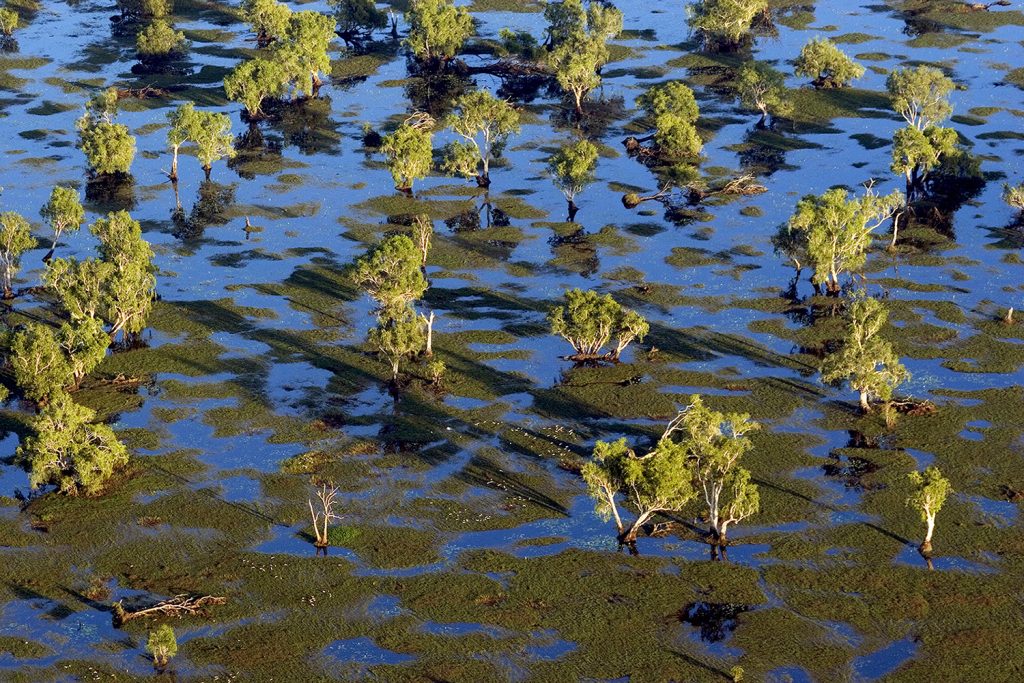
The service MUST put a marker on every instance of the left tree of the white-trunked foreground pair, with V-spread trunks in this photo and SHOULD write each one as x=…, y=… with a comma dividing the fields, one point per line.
x=653, y=484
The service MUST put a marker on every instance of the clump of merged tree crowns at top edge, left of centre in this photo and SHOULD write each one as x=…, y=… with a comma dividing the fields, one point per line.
x=293, y=55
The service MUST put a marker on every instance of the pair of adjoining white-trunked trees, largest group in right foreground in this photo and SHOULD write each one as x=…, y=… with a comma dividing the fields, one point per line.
x=698, y=456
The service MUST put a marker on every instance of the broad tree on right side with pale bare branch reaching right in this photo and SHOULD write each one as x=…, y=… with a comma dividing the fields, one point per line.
x=837, y=231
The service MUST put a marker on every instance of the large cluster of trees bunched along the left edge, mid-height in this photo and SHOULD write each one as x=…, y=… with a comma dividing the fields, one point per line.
x=99, y=300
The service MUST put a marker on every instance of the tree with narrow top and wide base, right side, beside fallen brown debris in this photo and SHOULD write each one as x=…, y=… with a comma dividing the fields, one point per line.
x=866, y=360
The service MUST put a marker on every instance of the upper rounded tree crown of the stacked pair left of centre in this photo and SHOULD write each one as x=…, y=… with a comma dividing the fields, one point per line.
x=391, y=274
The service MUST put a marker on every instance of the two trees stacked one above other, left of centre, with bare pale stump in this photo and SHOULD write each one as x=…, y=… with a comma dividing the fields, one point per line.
x=393, y=274
